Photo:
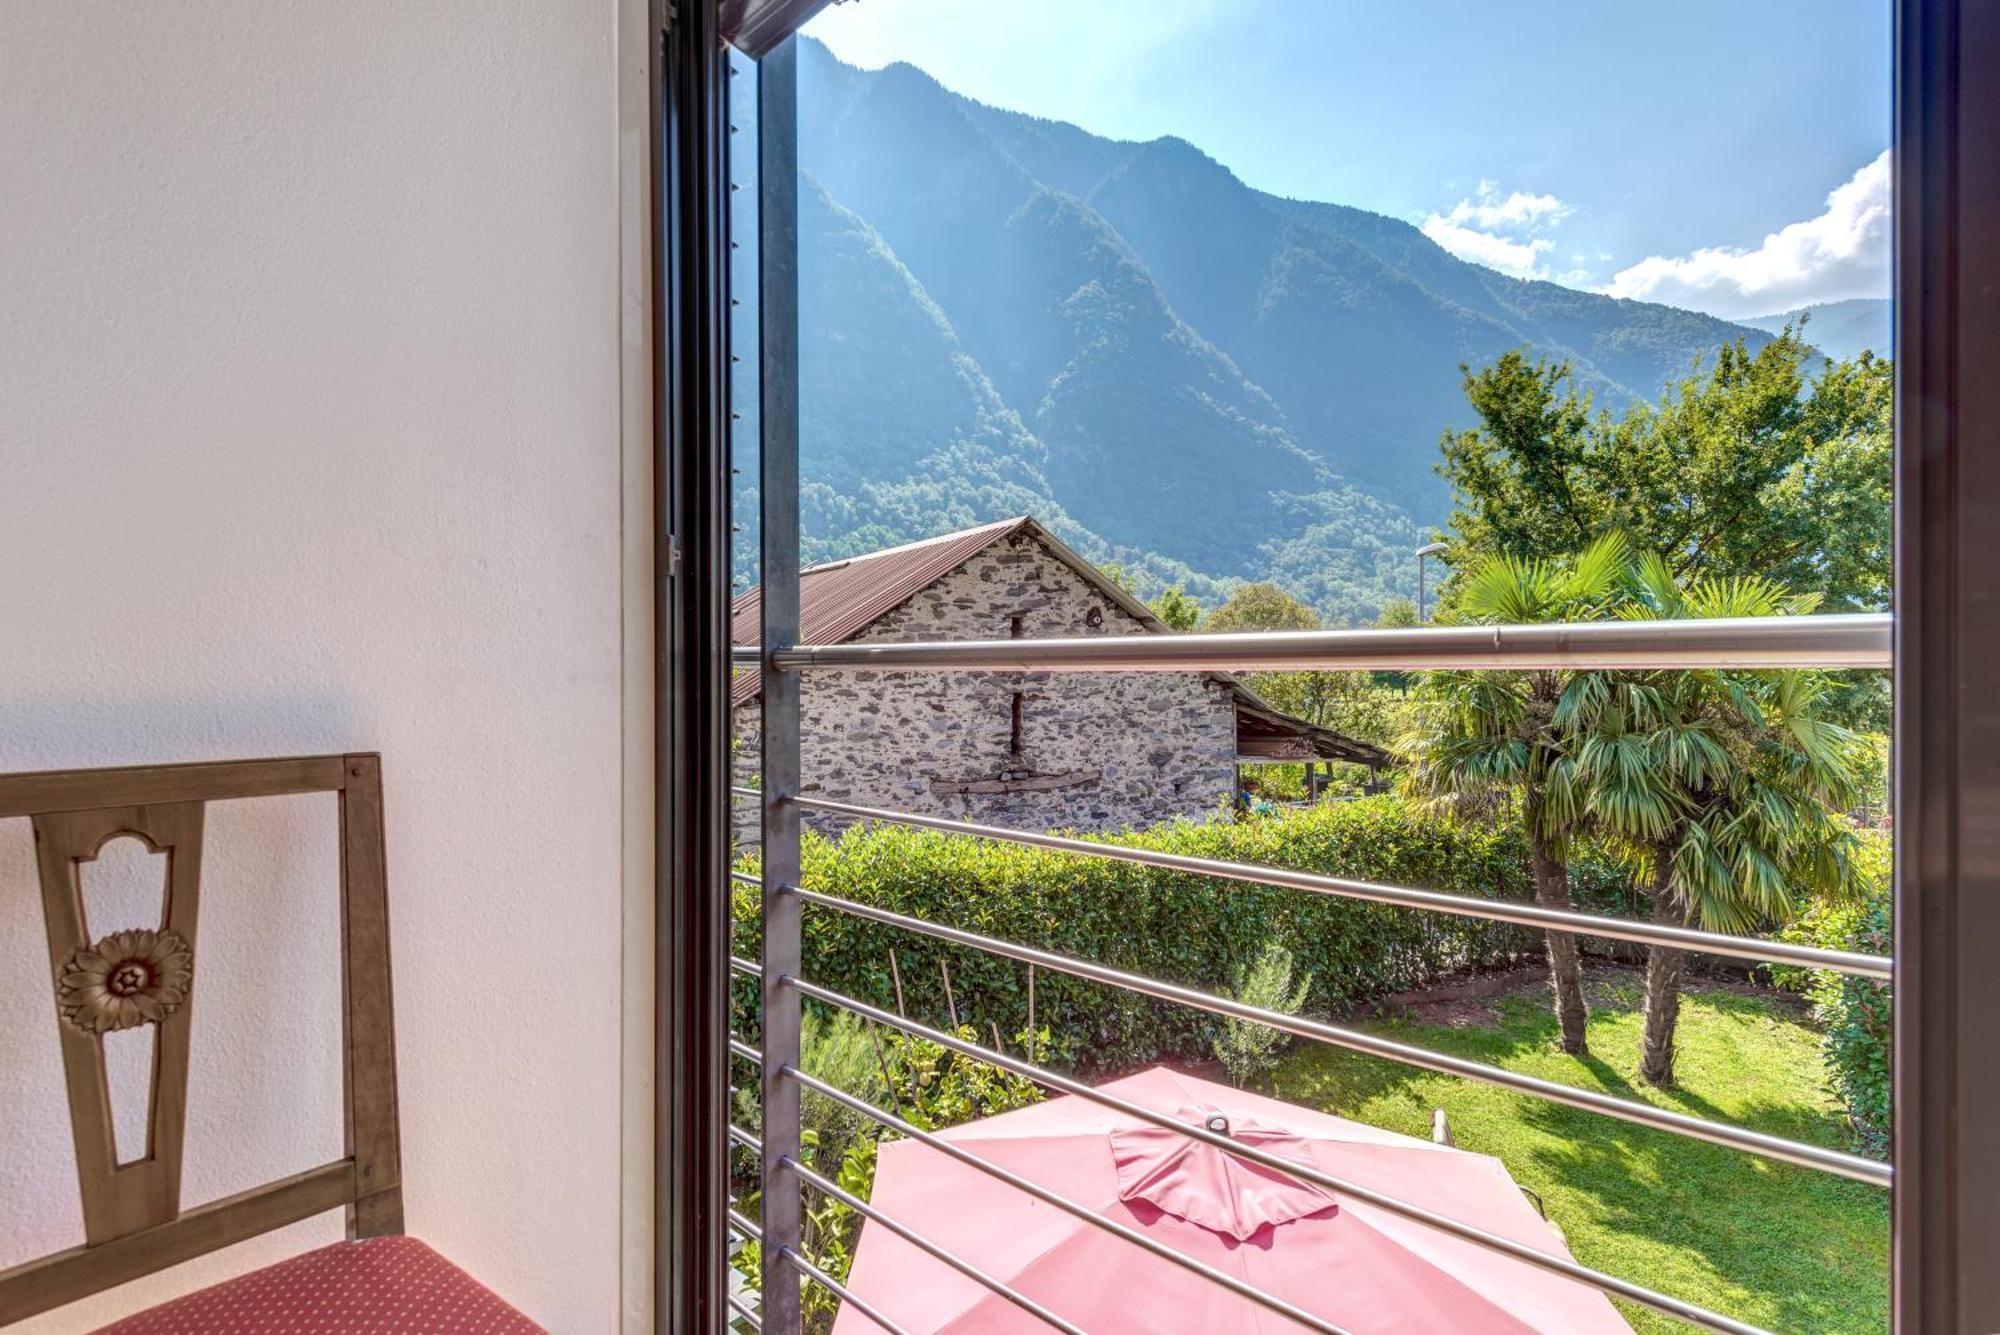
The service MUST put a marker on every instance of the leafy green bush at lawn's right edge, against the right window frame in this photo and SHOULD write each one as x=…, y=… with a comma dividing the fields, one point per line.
x=1855, y=1012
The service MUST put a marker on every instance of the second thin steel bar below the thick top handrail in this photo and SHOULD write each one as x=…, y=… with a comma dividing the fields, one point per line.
x=1357, y=1040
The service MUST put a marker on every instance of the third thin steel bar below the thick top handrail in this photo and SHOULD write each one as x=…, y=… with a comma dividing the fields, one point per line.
x=1521, y=1252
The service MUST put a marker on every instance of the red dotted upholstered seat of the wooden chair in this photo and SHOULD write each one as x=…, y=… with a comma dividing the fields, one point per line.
x=379, y=1286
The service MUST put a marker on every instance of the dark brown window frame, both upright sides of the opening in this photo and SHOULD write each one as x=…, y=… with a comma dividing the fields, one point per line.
x=1947, y=1198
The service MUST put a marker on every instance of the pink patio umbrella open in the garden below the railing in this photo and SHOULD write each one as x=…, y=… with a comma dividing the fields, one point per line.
x=1347, y=1262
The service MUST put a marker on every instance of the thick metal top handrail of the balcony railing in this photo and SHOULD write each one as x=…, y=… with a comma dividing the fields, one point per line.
x=1847, y=641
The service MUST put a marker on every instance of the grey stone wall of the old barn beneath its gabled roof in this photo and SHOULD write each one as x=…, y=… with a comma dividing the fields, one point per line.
x=1097, y=750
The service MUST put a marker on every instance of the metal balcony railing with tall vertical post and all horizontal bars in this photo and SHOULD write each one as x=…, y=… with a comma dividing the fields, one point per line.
x=783, y=663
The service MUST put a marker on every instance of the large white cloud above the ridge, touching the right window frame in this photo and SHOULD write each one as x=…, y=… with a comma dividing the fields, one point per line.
x=1843, y=253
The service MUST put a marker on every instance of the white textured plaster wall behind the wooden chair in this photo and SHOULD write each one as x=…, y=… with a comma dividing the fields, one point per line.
x=309, y=443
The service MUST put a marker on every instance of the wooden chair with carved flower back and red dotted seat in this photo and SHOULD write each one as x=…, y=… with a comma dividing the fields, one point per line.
x=133, y=1220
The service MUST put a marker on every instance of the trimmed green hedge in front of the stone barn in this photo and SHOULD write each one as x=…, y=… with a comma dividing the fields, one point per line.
x=1175, y=926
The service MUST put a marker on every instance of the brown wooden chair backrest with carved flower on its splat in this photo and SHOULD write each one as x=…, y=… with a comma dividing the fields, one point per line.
x=133, y=1218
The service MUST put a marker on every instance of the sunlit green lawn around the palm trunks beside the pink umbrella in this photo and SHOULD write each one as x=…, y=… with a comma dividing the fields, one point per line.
x=1783, y=1248
